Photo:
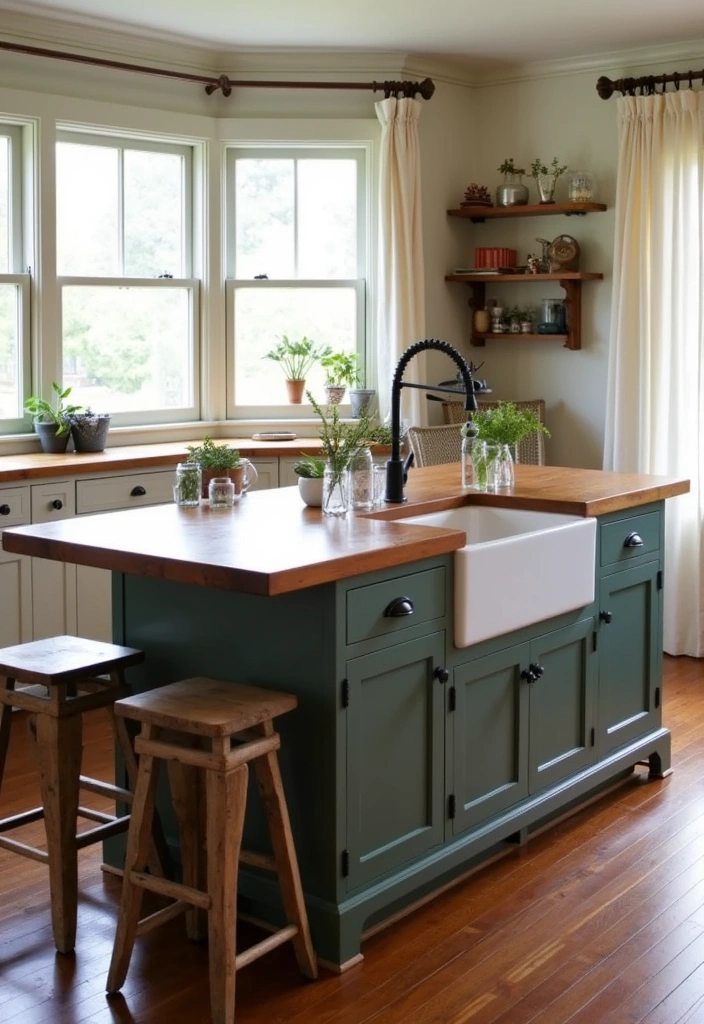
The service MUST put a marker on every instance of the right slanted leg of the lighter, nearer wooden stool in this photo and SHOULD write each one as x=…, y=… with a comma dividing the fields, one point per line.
x=272, y=789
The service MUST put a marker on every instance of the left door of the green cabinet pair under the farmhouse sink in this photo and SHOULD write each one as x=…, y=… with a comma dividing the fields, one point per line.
x=491, y=739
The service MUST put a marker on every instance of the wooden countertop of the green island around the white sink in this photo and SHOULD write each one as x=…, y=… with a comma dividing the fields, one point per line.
x=272, y=544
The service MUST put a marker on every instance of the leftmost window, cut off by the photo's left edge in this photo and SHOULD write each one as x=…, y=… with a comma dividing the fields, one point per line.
x=15, y=285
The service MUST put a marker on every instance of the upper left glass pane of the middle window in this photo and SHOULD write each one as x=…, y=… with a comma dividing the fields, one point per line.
x=87, y=210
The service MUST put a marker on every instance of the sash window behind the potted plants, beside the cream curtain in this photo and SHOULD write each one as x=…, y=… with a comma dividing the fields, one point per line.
x=297, y=258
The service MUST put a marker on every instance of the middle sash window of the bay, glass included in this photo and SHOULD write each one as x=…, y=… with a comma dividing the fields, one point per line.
x=125, y=261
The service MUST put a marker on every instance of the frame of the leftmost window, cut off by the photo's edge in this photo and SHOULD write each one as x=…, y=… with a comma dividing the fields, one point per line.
x=19, y=272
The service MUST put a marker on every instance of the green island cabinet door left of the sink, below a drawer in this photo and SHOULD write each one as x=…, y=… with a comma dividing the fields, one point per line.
x=395, y=757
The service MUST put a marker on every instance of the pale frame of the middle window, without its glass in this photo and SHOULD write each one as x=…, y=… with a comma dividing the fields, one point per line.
x=122, y=142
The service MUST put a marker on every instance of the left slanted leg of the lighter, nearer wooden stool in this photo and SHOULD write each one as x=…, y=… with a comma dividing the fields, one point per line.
x=139, y=839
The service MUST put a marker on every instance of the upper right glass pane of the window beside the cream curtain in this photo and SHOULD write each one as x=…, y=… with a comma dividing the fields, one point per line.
x=328, y=219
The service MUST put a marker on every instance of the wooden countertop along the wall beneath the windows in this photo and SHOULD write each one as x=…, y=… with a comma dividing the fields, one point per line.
x=116, y=460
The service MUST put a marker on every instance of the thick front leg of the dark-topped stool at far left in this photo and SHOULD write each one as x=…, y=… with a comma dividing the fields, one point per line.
x=59, y=752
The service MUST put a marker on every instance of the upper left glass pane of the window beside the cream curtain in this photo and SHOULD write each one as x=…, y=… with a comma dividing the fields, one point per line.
x=265, y=224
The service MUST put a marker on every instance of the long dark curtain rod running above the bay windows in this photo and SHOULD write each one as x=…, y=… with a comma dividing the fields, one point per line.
x=425, y=89
